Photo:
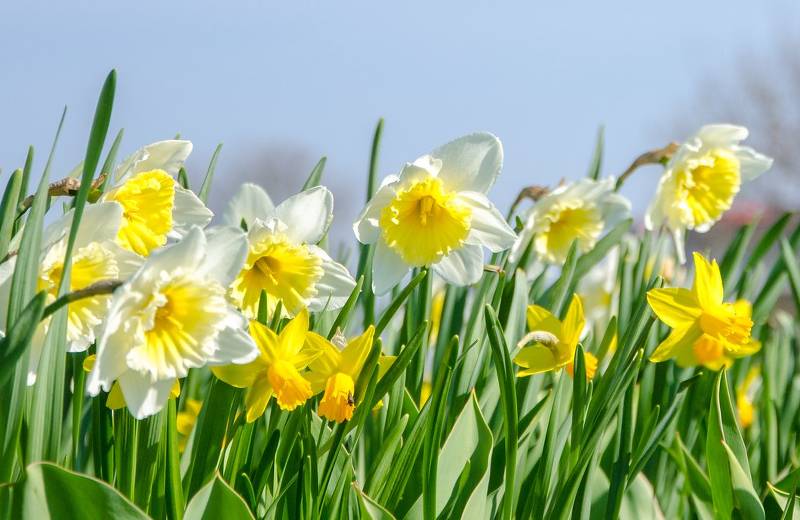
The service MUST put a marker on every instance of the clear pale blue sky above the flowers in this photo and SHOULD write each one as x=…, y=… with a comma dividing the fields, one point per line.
x=540, y=75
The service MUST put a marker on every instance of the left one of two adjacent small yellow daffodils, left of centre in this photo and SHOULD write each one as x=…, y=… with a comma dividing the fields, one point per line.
x=277, y=370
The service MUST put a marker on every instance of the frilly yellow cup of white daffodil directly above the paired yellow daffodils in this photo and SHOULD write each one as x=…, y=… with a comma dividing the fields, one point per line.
x=286, y=271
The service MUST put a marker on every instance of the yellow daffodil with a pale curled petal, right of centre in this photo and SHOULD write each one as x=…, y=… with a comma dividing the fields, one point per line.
x=554, y=340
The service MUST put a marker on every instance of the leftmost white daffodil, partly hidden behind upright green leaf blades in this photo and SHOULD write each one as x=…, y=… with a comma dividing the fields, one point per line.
x=96, y=256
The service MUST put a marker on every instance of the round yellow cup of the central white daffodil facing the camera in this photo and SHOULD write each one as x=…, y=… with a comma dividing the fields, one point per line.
x=423, y=223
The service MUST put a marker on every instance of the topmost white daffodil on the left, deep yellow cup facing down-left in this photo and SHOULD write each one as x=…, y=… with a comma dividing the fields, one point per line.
x=155, y=206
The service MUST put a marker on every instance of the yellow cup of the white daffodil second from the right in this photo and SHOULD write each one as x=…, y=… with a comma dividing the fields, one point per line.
x=562, y=225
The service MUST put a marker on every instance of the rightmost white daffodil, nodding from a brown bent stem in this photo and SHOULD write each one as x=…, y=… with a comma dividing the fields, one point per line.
x=701, y=180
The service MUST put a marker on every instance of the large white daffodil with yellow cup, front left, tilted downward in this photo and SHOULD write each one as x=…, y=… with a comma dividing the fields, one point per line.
x=172, y=315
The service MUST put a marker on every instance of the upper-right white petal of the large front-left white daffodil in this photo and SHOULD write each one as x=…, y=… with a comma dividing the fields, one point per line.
x=226, y=251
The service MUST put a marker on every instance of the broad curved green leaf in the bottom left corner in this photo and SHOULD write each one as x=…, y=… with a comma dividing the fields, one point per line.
x=51, y=492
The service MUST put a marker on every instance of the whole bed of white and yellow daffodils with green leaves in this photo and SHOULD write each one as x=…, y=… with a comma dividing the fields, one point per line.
x=554, y=359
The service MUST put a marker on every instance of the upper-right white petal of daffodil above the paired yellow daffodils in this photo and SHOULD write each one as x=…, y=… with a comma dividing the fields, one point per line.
x=307, y=214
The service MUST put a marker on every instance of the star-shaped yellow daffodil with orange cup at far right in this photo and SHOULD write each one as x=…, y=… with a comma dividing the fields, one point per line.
x=705, y=330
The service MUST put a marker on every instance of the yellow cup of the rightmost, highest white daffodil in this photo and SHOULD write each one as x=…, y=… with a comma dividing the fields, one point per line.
x=708, y=185
